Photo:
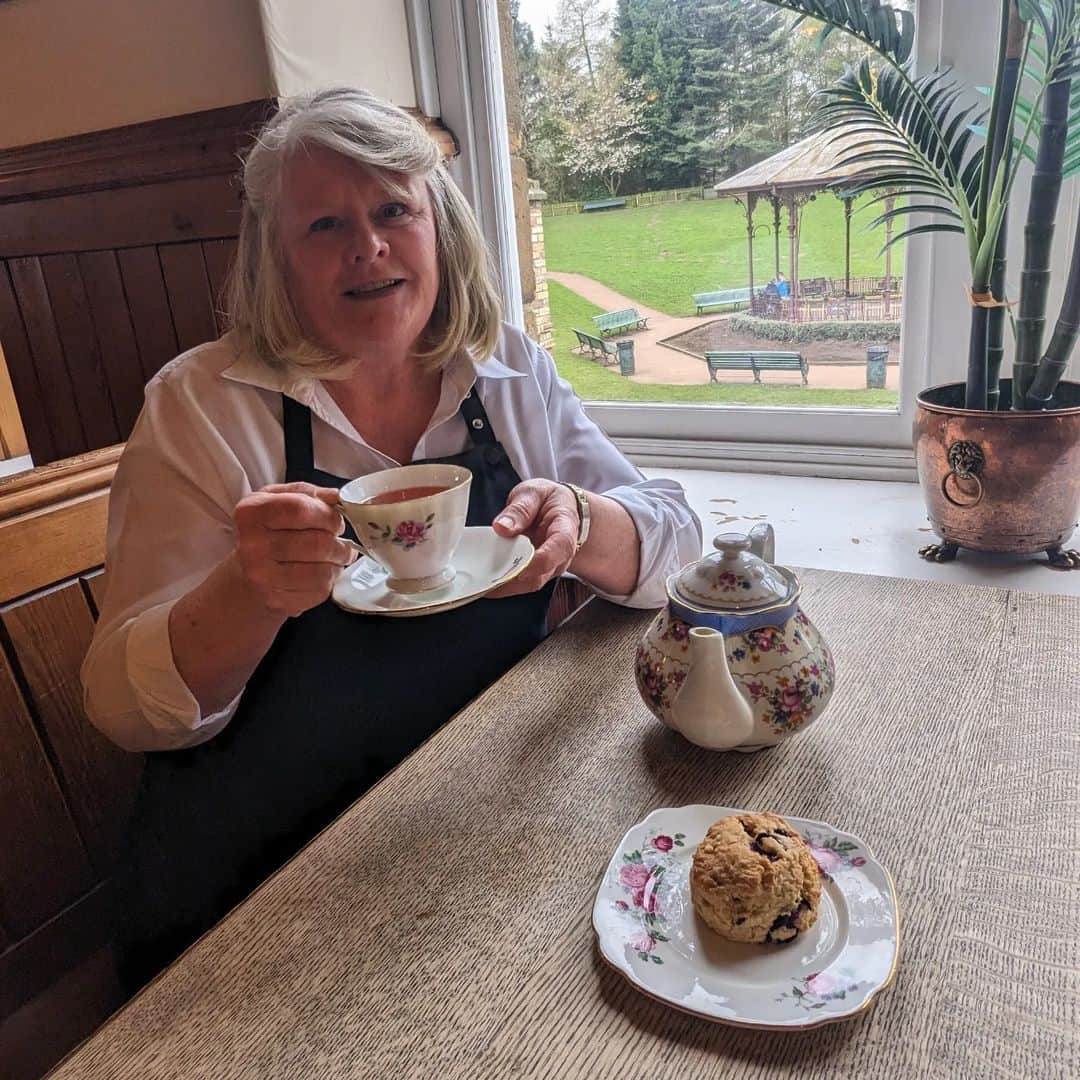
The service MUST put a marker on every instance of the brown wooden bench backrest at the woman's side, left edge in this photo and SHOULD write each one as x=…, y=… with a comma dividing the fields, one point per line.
x=65, y=790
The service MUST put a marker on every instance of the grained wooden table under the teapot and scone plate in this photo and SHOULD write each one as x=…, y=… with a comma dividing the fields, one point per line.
x=442, y=927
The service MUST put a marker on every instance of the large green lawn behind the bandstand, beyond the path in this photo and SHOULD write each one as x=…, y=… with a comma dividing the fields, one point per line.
x=661, y=255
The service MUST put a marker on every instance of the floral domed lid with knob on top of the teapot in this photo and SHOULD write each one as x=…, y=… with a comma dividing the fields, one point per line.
x=734, y=580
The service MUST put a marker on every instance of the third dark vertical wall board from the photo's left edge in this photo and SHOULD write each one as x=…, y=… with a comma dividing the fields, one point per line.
x=82, y=350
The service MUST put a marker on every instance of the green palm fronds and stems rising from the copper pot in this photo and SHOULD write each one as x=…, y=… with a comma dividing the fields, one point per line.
x=923, y=137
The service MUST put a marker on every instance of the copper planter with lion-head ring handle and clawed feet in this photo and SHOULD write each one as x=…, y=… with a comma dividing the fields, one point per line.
x=1000, y=481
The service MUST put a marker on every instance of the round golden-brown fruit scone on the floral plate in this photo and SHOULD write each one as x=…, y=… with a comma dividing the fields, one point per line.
x=754, y=880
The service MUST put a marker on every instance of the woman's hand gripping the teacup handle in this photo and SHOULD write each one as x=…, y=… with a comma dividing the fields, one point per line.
x=288, y=546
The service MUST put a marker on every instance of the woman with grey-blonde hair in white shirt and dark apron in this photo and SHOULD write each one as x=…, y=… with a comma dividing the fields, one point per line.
x=366, y=335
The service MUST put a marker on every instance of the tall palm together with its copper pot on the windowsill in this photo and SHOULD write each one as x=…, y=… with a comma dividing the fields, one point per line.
x=998, y=460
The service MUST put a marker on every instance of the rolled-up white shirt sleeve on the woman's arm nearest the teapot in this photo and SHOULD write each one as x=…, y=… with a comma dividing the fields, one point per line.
x=668, y=530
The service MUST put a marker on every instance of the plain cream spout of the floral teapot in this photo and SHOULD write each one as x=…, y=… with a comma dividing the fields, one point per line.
x=710, y=710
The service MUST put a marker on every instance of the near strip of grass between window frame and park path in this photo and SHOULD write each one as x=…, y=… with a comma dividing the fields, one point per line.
x=595, y=383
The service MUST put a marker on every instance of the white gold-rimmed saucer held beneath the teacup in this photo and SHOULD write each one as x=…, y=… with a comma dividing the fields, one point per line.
x=483, y=562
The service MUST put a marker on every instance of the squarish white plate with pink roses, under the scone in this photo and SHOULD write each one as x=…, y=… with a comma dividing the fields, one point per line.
x=647, y=929
